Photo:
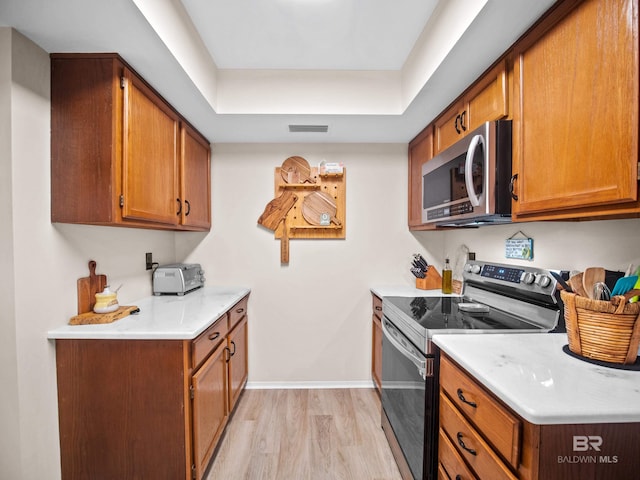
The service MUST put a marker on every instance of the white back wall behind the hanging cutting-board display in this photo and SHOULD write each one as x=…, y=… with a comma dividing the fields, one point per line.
x=309, y=320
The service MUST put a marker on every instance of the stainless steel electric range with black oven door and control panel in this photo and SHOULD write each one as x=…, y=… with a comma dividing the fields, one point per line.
x=496, y=298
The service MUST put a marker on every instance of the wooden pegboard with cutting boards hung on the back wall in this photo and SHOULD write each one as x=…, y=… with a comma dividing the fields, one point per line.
x=309, y=203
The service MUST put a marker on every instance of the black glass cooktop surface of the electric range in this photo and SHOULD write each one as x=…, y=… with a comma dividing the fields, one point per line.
x=456, y=313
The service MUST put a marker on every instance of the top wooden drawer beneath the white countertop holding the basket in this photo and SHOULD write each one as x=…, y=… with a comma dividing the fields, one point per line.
x=500, y=428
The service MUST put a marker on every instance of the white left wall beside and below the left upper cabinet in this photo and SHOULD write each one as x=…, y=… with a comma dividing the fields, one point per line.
x=40, y=264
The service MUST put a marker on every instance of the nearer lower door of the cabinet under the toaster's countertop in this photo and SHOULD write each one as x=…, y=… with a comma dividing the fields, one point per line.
x=210, y=407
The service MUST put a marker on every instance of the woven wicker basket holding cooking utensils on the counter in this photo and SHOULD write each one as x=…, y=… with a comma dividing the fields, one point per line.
x=602, y=330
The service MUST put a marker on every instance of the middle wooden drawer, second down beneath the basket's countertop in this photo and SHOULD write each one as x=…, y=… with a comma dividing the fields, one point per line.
x=470, y=445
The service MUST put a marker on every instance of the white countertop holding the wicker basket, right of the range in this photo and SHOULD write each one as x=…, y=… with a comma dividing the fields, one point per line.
x=543, y=384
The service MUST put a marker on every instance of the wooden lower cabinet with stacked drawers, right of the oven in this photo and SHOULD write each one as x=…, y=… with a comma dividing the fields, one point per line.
x=482, y=438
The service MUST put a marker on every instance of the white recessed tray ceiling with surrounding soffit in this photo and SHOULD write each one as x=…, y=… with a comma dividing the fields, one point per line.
x=244, y=70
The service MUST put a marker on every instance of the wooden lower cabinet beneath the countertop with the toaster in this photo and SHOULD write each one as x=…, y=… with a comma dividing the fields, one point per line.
x=147, y=409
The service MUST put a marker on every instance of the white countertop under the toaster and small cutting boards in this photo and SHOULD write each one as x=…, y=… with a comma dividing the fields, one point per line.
x=167, y=317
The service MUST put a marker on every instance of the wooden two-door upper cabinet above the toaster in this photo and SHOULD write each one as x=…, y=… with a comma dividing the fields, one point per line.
x=120, y=154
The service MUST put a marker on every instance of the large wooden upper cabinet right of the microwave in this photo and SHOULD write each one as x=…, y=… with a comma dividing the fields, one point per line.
x=576, y=118
